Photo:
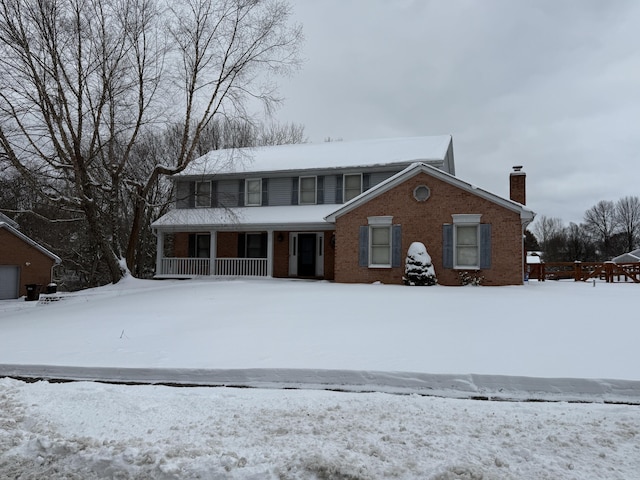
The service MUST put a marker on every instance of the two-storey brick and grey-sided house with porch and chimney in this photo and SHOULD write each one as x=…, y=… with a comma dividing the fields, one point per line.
x=343, y=211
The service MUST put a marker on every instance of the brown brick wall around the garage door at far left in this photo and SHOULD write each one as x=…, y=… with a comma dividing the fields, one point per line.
x=15, y=251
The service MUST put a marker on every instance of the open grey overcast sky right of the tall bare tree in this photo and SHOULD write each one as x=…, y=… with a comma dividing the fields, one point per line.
x=549, y=84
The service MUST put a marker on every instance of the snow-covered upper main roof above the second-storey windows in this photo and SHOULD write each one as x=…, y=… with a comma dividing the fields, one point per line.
x=435, y=150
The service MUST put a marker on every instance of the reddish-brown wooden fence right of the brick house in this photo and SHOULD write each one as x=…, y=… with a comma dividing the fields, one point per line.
x=582, y=271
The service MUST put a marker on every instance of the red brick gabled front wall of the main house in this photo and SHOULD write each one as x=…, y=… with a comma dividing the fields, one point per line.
x=422, y=222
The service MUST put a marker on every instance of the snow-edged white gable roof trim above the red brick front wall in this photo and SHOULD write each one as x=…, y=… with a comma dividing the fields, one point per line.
x=526, y=214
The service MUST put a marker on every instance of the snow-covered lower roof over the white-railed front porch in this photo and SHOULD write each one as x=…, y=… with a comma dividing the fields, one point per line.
x=247, y=218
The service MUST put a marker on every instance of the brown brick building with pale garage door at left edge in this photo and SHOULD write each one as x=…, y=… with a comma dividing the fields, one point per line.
x=22, y=261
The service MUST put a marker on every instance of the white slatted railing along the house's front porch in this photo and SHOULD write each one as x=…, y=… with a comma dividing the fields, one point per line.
x=233, y=267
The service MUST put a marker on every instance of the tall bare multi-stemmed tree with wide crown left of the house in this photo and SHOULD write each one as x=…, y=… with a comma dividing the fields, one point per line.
x=82, y=80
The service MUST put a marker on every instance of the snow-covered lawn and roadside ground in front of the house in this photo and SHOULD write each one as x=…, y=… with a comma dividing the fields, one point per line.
x=548, y=340
